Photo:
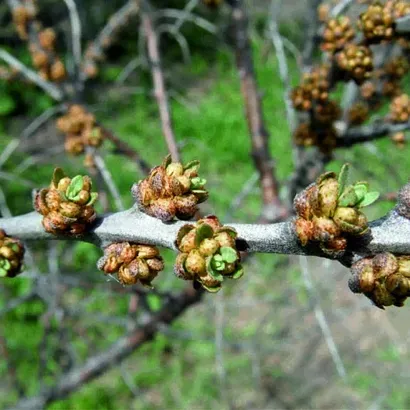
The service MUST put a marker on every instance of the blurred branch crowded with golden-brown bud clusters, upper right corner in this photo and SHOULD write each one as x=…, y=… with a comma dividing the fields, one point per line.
x=351, y=56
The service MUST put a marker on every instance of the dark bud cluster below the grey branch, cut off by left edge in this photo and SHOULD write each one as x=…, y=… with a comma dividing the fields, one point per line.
x=11, y=256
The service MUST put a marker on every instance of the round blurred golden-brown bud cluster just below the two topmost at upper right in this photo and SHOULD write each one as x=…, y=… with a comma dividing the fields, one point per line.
x=355, y=62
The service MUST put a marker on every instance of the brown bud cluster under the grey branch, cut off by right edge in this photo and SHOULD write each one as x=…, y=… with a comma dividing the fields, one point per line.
x=383, y=278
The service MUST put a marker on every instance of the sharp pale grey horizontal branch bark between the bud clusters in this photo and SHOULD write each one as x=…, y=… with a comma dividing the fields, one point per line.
x=389, y=234
